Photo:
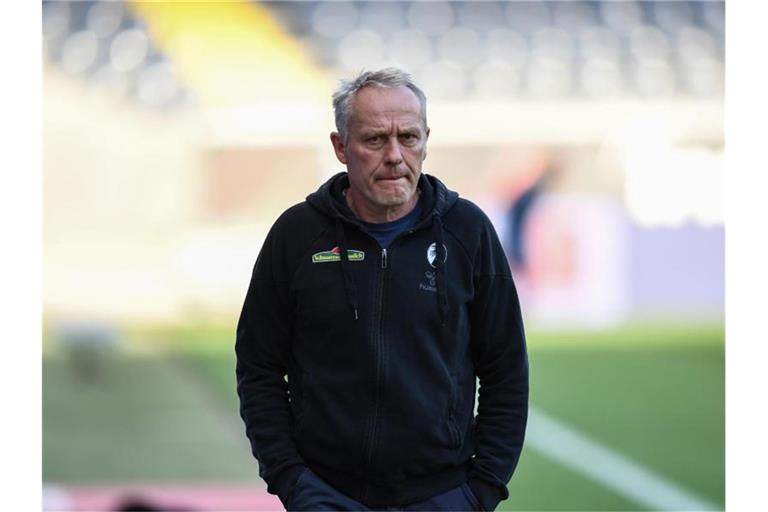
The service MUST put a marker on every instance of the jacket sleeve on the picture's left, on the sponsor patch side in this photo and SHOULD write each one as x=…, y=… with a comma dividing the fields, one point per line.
x=262, y=348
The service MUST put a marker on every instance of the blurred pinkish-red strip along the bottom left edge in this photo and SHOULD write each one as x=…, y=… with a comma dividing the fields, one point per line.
x=151, y=496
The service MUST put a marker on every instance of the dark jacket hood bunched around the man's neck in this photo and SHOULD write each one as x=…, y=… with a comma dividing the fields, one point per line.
x=328, y=199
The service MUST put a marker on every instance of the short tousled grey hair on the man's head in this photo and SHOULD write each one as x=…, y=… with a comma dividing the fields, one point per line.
x=387, y=77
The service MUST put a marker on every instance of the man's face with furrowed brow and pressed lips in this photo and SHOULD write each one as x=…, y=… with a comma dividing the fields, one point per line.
x=385, y=147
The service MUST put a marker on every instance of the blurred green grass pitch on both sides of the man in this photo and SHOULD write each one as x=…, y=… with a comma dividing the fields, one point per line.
x=652, y=393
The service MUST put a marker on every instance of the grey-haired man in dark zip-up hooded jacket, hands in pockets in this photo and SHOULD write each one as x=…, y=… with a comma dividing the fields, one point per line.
x=382, y=297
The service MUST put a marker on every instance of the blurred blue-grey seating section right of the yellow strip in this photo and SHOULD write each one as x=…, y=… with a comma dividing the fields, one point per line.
x=522, y=49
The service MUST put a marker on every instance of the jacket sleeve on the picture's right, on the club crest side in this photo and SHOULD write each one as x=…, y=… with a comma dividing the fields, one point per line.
x=501, y=362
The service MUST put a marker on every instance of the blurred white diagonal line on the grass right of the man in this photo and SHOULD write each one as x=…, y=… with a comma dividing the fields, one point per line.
x=574, y=450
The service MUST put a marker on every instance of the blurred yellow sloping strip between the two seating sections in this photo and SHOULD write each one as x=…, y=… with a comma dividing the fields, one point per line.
x=233, y=53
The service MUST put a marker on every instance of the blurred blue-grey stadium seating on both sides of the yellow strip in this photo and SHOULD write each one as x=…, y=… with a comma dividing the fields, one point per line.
x=458, y=50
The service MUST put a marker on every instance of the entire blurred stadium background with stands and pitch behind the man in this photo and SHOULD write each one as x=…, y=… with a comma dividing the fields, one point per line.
x=590, y=132
